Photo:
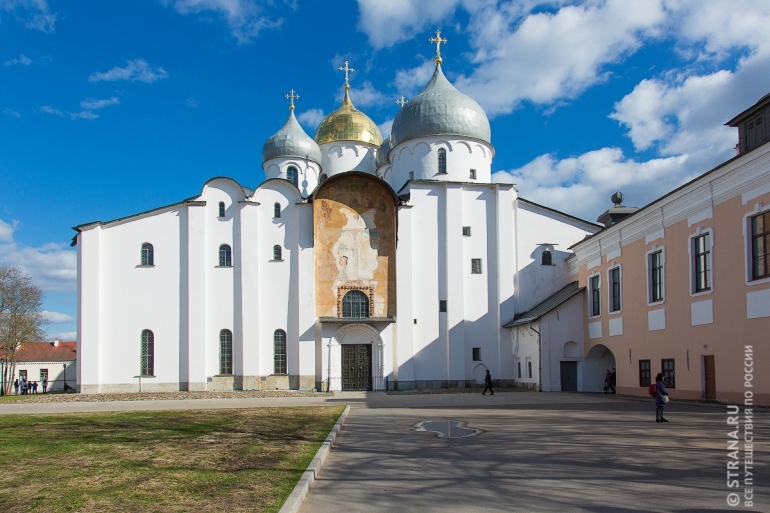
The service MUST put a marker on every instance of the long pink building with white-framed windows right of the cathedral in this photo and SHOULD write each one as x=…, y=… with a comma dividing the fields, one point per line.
x=682, y=286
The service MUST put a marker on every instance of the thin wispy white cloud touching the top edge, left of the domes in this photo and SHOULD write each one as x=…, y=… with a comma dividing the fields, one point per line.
x=244, y=17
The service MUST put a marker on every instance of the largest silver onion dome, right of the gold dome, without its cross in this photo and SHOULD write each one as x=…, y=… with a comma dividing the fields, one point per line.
x=440, y=109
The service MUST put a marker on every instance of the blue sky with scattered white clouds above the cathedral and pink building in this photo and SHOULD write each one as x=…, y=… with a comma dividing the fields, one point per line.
x=112, y=108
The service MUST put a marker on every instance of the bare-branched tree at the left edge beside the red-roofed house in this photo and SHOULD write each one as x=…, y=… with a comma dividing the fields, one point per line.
x=21, y=317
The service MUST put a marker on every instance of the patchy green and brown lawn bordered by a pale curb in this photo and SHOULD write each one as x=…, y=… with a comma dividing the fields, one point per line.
x=168, y=461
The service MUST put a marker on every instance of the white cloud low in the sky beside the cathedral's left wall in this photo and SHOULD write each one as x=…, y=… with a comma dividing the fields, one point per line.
x=52, y=266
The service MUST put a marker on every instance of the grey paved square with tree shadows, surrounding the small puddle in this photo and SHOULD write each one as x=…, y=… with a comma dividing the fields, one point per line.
x=539, y=452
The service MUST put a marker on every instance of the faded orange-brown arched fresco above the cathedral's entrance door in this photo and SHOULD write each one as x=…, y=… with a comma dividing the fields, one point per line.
x=355, y=245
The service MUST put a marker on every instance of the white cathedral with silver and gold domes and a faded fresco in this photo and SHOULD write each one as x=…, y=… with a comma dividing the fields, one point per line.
x=358, y=264
